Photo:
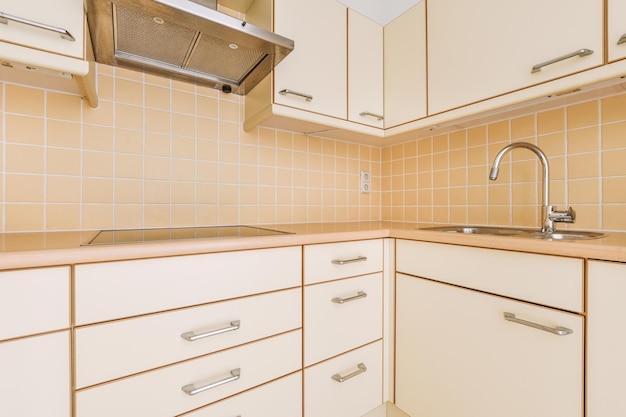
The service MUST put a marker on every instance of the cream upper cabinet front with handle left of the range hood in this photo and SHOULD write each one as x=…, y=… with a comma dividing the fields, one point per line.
x=62, y=14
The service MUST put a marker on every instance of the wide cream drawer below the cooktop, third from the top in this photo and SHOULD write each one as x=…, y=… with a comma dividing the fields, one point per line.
x=160, y=393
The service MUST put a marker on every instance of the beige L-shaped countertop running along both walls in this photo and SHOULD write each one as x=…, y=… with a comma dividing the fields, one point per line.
x=22, y=250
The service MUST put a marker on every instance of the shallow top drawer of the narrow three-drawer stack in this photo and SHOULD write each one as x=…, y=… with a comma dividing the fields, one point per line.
x=330, y=261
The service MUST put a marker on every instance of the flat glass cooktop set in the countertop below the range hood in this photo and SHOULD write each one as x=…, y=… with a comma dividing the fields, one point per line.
x=113, y=237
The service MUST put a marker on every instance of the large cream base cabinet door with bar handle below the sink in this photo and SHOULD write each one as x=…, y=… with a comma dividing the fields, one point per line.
x=457, y=355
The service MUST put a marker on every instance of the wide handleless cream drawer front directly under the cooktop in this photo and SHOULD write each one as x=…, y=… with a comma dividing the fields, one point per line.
x=113, y=290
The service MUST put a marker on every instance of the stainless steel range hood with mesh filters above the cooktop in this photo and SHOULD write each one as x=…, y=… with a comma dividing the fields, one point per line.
x=184, y=40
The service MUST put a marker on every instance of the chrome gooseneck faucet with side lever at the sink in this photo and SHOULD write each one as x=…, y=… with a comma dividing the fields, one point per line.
x=549, y=213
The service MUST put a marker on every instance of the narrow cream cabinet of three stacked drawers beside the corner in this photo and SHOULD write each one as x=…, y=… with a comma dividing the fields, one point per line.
x=343, y=328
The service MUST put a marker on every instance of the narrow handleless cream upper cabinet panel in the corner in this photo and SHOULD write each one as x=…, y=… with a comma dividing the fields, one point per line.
x=405, y=67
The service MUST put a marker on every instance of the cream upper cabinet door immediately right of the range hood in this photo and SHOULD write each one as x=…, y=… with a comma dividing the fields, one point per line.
x=313, y=76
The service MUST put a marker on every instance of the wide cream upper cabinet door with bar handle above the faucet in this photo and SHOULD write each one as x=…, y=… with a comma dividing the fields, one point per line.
x=484, y=48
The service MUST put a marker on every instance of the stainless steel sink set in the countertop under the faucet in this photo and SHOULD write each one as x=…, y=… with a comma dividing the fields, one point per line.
x=512, y=231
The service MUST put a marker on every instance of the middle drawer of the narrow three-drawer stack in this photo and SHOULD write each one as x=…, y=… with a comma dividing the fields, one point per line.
x=341, y=315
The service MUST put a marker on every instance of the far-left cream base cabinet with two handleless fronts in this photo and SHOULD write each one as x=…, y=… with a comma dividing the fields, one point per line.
x=35, y=342
